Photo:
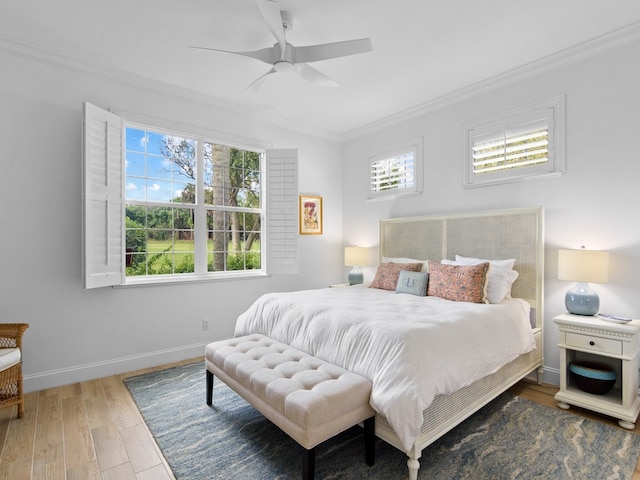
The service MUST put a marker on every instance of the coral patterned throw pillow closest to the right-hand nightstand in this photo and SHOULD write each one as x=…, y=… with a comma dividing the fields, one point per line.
x=460, y=283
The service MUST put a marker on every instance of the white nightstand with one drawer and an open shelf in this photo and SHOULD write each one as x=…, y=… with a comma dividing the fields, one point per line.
x=584, y=338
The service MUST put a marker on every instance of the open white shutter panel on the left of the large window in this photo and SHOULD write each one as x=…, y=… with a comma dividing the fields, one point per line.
x=103, y=204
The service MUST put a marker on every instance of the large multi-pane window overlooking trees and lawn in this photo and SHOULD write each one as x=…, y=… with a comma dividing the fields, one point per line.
x=173, y=186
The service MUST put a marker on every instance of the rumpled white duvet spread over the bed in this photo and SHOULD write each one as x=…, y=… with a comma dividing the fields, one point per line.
x=412, y=348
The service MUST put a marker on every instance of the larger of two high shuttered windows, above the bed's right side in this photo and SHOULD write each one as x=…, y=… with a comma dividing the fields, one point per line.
x=520, y=144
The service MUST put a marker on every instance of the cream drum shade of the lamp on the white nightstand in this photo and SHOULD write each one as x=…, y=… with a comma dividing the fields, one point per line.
x=589, y=266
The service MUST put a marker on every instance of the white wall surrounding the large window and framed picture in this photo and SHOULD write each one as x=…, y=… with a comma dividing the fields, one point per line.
x=79, y=334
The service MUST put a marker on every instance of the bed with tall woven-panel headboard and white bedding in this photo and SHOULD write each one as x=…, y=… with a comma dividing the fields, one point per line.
x=422, y=389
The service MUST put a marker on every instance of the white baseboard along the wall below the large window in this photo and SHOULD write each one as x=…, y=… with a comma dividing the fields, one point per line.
x=92, y=371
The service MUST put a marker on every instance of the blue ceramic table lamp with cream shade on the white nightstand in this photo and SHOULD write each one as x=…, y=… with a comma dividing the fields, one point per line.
x=583, y=266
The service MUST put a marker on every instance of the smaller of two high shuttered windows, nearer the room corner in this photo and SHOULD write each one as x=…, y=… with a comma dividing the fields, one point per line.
x=396, y=170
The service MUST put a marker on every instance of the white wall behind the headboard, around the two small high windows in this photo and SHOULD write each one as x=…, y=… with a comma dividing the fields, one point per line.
x=595, y=203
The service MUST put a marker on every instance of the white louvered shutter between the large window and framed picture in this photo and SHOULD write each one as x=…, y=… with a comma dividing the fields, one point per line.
x=282, y=210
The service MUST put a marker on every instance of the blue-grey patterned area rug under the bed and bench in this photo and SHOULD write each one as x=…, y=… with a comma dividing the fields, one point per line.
x=511, y=438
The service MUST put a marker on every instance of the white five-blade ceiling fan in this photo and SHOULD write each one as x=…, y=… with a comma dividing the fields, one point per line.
x=284, y=57
